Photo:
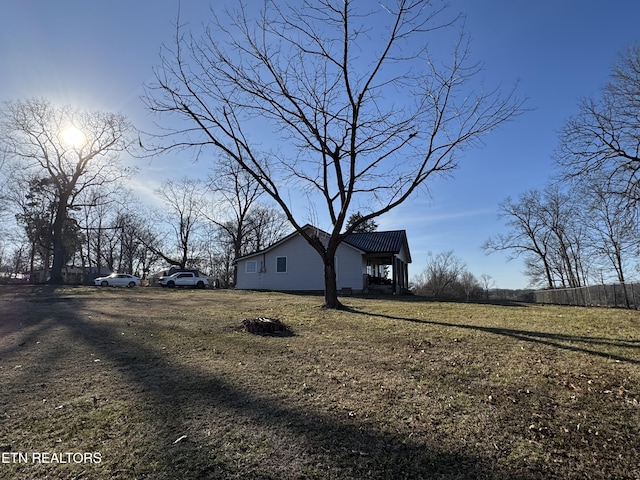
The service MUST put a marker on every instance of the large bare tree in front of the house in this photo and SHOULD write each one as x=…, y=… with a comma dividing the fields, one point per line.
x=352, y=90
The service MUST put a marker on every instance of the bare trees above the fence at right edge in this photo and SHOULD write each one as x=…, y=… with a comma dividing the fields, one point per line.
x=582, y=228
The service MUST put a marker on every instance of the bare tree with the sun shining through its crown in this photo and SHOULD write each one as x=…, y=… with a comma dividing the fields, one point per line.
x=72, y=149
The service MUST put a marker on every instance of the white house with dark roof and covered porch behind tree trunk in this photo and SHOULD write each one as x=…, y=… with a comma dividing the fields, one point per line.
x=375, y=261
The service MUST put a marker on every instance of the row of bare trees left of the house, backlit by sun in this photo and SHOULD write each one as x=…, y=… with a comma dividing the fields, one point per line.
x=65, y=202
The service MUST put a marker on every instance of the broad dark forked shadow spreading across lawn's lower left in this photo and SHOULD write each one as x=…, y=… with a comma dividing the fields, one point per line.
x=322, y=446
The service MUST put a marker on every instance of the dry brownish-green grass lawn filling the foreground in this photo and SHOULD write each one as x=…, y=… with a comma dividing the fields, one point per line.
x=150, y=383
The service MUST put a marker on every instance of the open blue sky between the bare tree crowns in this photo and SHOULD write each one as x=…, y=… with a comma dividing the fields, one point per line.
x=97, y=55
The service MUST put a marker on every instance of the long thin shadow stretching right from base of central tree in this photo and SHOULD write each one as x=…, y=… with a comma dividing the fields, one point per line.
x=550, y=339
